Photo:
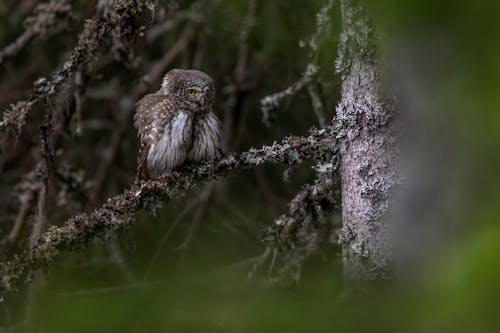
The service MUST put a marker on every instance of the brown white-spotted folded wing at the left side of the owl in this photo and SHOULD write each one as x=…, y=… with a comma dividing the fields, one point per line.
x=149, y=119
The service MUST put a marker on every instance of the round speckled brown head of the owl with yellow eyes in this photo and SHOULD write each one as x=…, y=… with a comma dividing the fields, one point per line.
x=189, y=89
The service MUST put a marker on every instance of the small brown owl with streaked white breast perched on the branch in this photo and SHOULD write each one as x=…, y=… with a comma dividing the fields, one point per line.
x=176, y=124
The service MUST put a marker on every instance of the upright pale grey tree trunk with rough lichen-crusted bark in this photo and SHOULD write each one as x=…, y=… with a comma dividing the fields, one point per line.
x=367, y=152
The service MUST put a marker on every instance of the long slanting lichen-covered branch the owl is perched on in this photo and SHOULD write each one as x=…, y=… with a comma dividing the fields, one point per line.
x=118, y=212
